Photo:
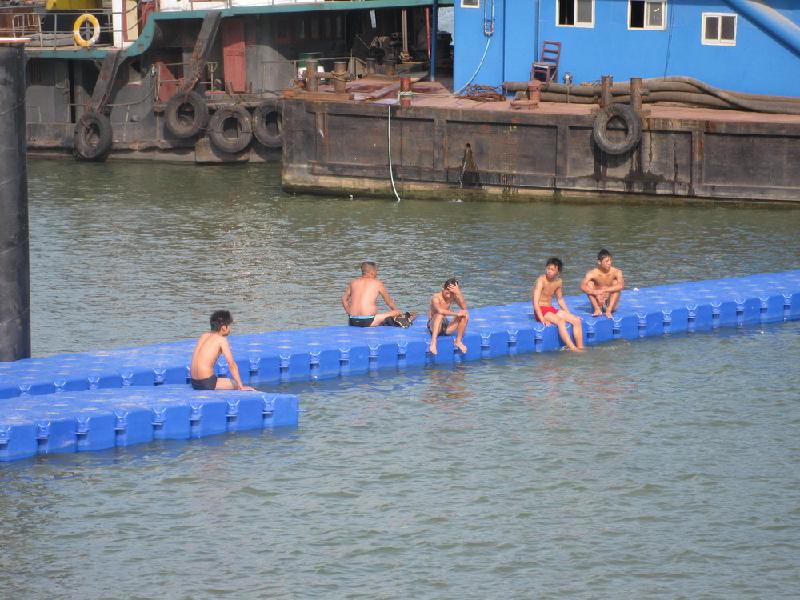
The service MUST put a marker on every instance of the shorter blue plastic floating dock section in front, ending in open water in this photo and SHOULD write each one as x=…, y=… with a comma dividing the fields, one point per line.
x=102, y=419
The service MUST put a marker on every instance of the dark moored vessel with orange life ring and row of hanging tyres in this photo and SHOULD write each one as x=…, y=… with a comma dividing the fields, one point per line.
x=191, y=80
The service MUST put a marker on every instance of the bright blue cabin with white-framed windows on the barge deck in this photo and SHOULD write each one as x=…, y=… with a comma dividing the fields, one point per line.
x=740, y=45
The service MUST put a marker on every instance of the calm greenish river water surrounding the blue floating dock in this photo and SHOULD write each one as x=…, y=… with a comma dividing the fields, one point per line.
x=659, y=468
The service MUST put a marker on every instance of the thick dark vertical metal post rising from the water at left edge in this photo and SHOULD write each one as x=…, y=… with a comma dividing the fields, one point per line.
x=15, y=277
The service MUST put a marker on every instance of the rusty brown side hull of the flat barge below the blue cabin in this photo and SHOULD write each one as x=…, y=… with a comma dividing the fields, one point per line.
x=455, y=148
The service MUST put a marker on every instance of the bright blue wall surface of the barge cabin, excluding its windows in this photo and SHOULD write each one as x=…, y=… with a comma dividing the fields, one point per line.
x=756, y=64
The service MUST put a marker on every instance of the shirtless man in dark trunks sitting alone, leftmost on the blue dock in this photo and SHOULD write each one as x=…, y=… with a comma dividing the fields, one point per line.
x=210, y=345
